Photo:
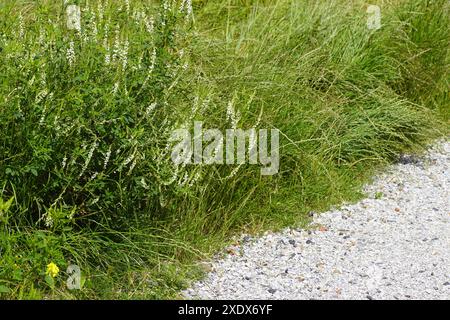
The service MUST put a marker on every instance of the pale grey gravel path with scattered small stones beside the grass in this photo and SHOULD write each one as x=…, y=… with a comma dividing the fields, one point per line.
x=394, y=246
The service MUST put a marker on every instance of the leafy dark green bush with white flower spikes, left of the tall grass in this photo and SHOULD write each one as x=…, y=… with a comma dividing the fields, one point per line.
x=86, y=115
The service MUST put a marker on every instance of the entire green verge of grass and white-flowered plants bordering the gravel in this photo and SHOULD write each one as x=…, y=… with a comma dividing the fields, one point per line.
x=86, y=115
